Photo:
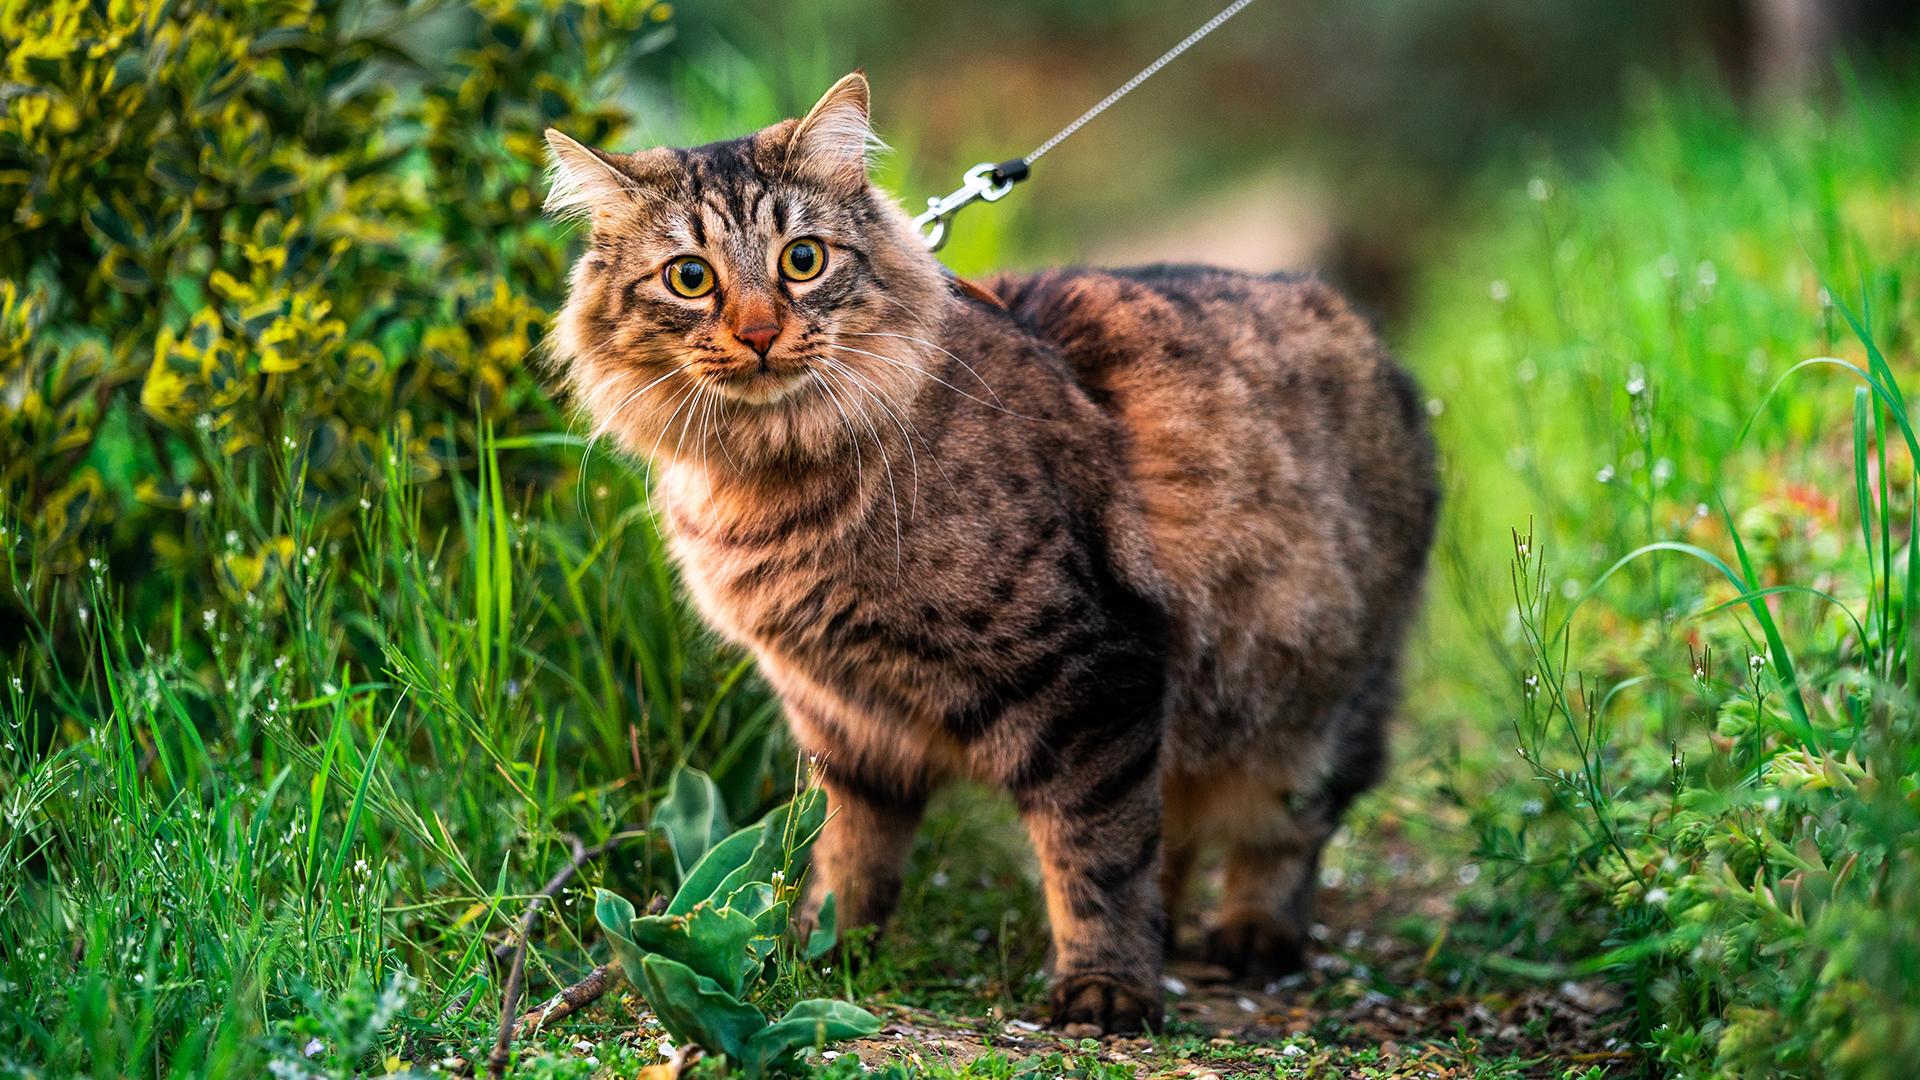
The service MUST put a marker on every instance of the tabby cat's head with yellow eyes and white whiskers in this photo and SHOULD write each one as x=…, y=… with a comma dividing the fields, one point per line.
x=752, y=299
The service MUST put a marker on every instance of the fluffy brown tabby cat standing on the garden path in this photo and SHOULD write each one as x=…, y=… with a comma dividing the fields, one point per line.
x=1138, y=547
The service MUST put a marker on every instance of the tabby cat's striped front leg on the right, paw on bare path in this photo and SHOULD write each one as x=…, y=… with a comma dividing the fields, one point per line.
x=1097, y=833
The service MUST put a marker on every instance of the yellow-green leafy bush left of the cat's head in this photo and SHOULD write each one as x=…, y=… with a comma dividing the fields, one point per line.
x=241, y=233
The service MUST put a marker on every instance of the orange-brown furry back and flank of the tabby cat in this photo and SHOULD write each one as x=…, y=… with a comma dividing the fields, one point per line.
x=1280, y=454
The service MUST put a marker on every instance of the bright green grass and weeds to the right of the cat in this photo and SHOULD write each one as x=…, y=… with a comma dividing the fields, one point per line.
x=1712, y=637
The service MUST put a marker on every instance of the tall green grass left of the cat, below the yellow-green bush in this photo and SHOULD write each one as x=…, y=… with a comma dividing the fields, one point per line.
x=327, y=797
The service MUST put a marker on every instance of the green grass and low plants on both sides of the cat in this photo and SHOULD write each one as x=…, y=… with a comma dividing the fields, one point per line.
x=1660, y=737
